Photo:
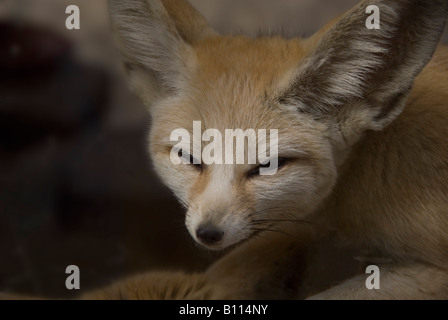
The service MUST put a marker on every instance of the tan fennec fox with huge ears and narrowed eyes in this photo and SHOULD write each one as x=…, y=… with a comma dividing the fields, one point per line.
x=362, y=120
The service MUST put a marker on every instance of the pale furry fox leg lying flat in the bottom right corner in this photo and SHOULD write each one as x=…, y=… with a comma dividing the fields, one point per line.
x=416, y=281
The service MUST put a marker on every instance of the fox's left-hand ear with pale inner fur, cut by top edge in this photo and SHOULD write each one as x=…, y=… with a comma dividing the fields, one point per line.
x=155, y=38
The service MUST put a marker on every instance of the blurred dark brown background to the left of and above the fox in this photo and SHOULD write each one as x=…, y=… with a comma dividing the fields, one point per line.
x=76, y=182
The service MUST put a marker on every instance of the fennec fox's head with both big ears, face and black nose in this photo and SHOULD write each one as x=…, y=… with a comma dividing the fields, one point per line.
x=321, y=94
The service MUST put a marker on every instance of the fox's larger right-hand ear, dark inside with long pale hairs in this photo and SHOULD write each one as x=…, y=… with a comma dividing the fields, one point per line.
x=360, y=75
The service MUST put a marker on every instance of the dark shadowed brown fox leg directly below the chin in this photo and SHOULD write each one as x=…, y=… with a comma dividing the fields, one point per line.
x=261, y=269
